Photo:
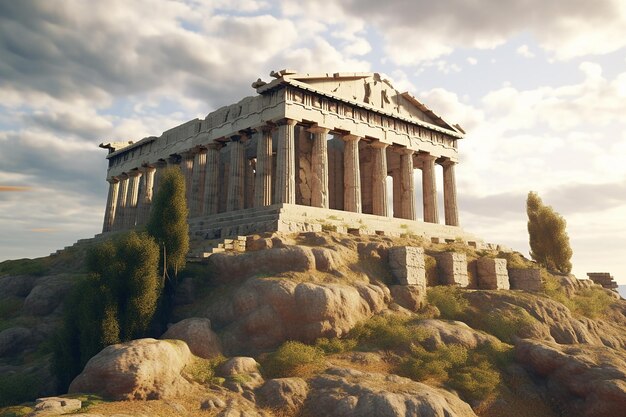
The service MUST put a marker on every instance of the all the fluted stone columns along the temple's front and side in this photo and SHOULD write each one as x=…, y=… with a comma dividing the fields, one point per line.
x=130, y=195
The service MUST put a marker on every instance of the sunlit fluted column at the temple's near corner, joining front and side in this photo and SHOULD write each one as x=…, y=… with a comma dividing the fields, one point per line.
x=286, y=163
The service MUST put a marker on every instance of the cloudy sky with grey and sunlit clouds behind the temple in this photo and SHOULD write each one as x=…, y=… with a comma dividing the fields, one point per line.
x=538, y=85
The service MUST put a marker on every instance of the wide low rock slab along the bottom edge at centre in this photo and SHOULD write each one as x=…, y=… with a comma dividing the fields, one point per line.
x=345, y=392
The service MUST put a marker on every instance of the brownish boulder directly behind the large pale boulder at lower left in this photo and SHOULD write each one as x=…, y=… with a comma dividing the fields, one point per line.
x=197, y=333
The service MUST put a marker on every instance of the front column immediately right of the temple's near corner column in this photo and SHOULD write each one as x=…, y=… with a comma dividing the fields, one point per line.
x=319, y=167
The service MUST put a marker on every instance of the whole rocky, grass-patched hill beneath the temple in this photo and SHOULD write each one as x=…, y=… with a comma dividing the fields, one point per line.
x=319, y=325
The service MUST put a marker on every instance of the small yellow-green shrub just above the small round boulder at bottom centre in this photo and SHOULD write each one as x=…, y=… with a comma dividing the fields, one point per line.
x=289, y=357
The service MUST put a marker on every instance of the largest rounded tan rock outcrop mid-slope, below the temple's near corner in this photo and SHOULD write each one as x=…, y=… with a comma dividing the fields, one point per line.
x=264, y=312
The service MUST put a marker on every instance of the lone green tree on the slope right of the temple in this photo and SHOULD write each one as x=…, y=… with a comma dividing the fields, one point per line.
x=549, y=242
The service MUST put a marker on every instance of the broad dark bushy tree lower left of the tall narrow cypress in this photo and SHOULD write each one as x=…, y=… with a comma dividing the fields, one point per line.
x=115, y=303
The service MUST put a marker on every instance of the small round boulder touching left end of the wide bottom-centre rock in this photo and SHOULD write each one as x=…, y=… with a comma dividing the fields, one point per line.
x=284, y=394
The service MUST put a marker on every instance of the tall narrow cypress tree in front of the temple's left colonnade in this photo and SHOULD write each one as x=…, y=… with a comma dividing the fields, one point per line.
x=168, y=221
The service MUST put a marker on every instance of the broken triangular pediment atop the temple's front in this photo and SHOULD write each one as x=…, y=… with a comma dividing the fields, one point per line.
x=371, y=89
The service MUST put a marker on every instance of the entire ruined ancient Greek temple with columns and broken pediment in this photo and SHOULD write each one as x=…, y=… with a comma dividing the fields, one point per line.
x=307, y=152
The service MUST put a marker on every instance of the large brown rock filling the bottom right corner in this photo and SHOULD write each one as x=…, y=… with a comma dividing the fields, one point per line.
x=585, y=380
